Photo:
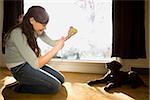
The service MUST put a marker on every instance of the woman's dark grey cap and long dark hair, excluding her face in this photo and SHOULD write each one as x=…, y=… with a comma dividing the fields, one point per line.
x=40, y=15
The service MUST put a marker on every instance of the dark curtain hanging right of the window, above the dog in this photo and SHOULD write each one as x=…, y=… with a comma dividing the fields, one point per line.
x=128, y=29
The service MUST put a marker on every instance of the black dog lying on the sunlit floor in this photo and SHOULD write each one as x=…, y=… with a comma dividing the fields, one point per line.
x=115, y=78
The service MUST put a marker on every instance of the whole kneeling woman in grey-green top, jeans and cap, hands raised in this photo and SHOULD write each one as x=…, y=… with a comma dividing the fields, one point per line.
x=23, y=58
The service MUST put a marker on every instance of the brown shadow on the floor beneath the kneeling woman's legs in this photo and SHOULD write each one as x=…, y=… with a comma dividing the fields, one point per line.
x=9, y=94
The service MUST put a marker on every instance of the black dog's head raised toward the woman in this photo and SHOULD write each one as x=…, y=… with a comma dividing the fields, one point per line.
x=114, y=66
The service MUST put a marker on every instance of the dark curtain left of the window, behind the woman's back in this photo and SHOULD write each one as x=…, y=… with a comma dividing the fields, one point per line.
x=12, y=10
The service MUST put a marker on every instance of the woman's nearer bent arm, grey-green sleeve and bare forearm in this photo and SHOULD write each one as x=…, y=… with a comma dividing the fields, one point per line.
x=27, y=53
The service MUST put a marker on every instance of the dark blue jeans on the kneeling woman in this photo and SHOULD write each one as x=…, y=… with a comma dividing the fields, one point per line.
x=31, y=80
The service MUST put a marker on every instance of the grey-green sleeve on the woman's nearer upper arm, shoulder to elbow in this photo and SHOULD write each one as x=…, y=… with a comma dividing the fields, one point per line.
x=24, y=50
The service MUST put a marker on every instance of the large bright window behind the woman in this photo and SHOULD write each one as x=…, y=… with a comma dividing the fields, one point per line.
x=92, y=18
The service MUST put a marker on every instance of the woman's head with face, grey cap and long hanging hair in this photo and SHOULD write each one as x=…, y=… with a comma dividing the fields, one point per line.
x=34, y=20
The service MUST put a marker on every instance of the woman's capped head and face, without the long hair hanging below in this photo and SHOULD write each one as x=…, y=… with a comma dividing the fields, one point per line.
x=36, y=18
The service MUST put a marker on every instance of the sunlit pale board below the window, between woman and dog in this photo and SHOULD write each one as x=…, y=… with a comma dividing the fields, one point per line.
x=81, y=67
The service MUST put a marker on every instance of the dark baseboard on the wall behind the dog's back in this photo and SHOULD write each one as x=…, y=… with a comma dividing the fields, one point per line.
x=143, y=71
